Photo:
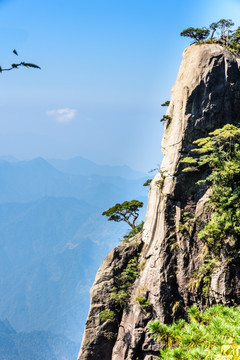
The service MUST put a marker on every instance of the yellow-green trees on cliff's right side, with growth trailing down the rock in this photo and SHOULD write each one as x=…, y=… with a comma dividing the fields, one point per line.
x=220, y=153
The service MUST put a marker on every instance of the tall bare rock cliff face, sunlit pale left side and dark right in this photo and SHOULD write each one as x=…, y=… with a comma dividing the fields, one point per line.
x=206, y=96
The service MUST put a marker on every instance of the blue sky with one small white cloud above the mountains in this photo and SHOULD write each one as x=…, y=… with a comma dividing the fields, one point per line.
x=106, y=68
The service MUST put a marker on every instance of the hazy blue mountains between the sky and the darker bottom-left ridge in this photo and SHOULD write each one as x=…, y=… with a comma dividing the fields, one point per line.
x=53, y=239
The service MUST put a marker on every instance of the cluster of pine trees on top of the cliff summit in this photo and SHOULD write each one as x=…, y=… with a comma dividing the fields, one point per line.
x=225, y=35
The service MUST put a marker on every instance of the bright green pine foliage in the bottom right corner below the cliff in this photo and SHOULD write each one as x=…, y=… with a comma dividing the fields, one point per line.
x=205, y=335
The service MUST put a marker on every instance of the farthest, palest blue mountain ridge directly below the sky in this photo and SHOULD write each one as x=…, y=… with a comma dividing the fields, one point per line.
x=25, y=181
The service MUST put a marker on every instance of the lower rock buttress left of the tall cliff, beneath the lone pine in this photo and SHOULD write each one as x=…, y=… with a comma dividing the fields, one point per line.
x=95, y=345
